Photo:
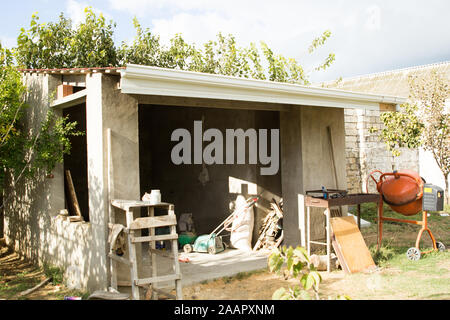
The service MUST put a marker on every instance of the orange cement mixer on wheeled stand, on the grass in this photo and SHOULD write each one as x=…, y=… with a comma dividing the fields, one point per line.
x=403, y=191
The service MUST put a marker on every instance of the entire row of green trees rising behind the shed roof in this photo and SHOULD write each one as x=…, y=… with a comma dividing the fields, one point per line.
x=91, y=44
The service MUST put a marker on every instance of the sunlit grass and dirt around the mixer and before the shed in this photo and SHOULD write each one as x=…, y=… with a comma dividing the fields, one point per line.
x=397, y=278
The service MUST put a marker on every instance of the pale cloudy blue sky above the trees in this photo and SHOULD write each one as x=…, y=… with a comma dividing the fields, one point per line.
x=368, y=36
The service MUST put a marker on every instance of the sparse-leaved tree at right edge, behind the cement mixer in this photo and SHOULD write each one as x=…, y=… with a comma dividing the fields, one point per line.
x=425, y=121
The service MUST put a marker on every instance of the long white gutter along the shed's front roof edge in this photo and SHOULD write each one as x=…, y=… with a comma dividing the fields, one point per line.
x=146, y=80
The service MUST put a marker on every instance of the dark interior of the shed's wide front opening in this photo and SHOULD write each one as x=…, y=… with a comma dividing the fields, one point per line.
x=209, y=202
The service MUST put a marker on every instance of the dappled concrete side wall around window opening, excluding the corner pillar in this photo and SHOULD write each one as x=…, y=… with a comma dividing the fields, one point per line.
x=32, y=205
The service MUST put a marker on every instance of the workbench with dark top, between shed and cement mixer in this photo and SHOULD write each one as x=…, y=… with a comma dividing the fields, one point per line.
x=348, y=200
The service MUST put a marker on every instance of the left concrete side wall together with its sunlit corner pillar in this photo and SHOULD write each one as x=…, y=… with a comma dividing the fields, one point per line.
x=31, y=207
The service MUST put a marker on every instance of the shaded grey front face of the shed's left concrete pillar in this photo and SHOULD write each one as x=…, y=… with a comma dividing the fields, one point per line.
x=120, y=115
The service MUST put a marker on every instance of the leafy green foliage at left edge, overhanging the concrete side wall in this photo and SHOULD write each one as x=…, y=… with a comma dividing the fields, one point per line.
x=24, y=154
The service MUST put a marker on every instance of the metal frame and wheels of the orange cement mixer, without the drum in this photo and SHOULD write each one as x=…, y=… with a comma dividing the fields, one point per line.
x=411, y=253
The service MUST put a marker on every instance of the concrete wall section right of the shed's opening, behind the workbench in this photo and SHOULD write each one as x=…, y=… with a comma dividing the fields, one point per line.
x=306, y=165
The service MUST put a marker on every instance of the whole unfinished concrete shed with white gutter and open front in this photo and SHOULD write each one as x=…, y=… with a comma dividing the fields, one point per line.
x=141, y=106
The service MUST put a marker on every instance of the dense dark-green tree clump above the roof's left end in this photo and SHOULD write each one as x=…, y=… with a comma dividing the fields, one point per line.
x=59, y=45
